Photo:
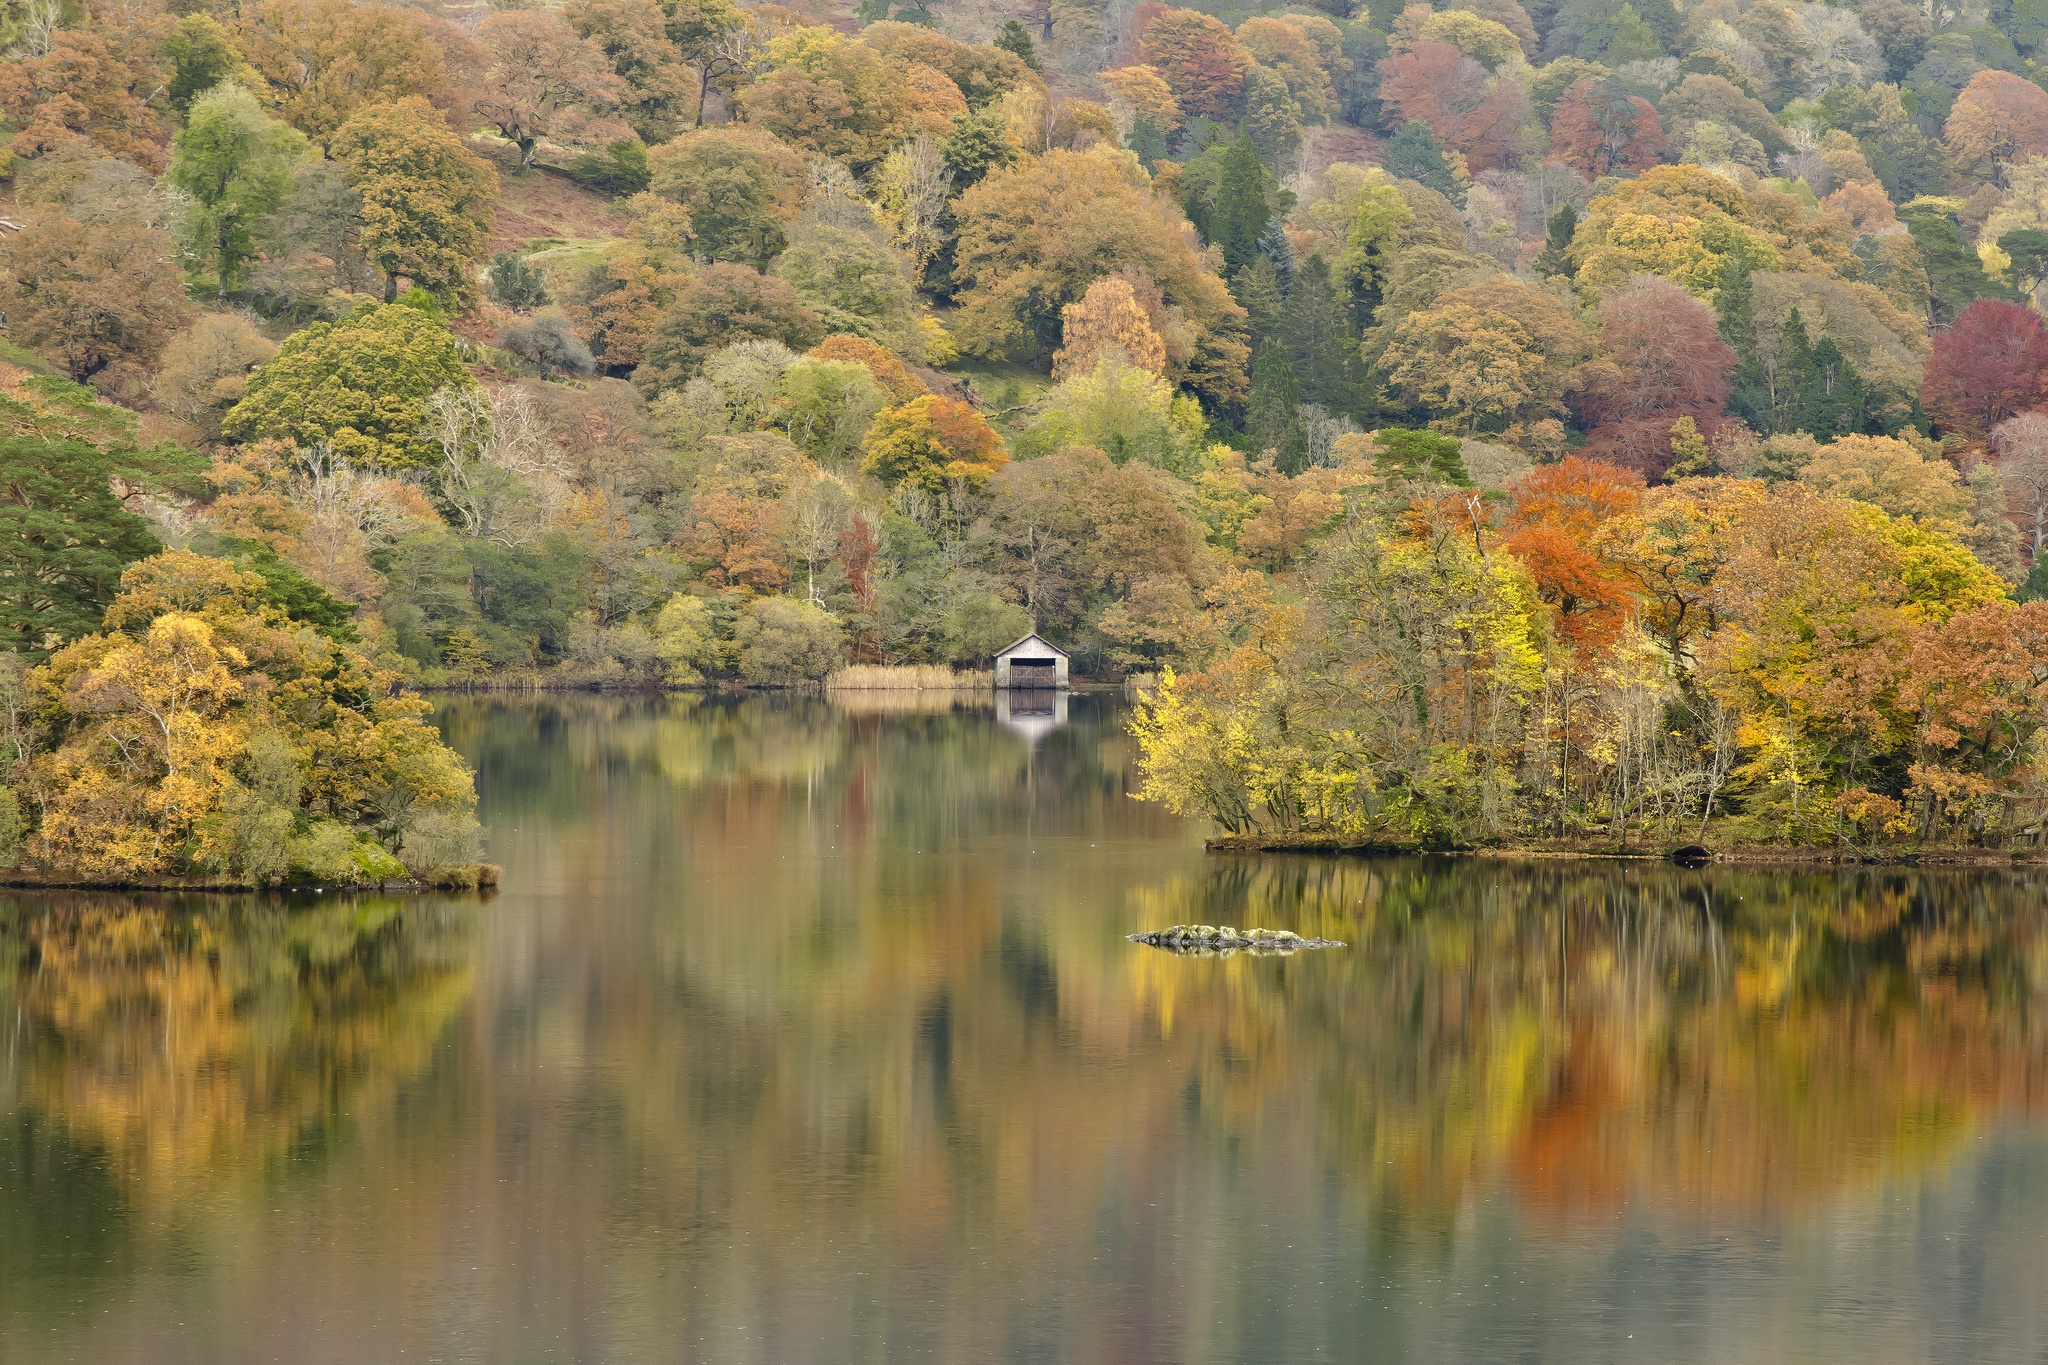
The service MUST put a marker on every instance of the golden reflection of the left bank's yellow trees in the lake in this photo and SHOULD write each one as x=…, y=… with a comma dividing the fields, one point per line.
x=191, y=1039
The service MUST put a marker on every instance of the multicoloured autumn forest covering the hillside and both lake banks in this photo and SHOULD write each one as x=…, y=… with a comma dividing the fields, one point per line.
x=1578, y=423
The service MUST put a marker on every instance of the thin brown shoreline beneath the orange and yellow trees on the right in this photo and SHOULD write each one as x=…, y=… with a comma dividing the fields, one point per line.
x=1682, y=854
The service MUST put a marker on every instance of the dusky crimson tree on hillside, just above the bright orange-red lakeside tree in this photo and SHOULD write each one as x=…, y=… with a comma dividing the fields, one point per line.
x=1660, y=359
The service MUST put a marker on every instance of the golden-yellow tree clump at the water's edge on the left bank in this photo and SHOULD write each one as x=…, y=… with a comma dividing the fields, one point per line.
x=208, y=734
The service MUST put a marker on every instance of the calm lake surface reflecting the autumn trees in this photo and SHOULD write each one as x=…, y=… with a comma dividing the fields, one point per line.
x=804, y=1034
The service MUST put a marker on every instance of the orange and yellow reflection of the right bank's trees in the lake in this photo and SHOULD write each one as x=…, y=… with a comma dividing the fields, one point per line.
x=1727, y=1041
